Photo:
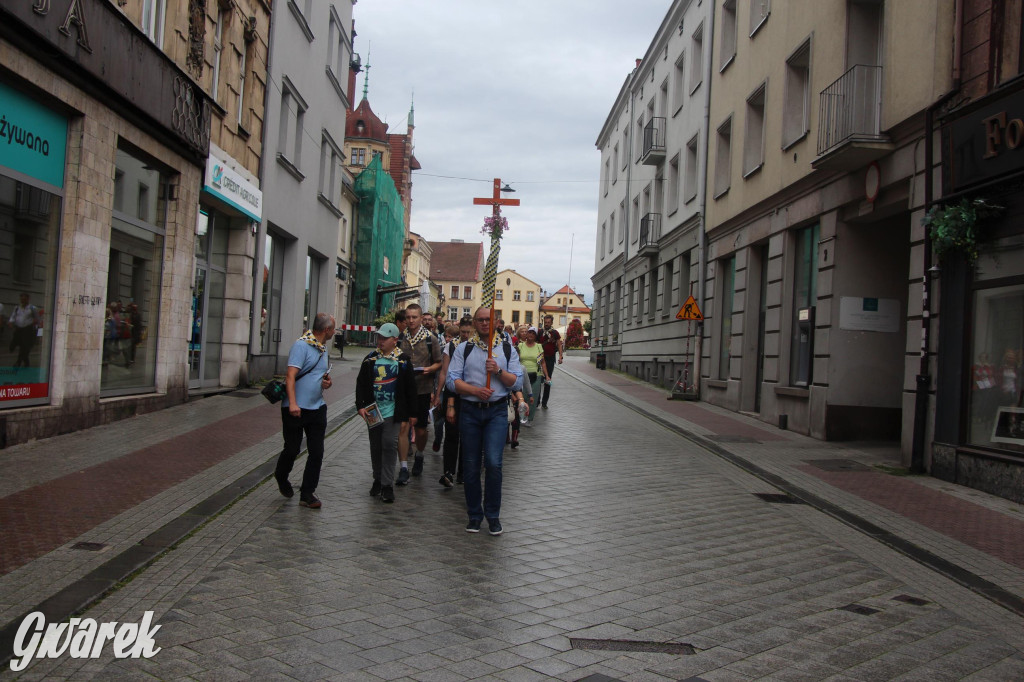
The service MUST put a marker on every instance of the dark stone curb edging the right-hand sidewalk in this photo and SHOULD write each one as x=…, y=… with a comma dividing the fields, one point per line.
x=944, y=567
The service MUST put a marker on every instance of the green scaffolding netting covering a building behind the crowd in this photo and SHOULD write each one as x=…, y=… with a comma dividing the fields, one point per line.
x=379, y=242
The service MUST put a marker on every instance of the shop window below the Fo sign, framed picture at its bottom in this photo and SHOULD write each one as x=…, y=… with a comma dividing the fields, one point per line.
x=997, y=396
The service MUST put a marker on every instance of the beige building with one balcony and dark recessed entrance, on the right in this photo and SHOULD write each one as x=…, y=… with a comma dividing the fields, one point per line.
x=816, y=196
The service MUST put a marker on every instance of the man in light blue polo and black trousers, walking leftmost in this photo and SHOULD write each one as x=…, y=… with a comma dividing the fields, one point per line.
x=304, y=410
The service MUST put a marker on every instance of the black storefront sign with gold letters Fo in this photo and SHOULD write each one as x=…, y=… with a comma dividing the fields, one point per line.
x=985, y=144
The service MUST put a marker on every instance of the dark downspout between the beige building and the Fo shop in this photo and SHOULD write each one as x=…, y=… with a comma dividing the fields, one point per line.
x=924, y=379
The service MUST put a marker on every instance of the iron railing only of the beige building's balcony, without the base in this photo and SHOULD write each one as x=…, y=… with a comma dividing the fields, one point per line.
x=850, y=108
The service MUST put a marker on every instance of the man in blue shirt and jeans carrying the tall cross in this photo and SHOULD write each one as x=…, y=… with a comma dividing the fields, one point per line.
x=484, y=416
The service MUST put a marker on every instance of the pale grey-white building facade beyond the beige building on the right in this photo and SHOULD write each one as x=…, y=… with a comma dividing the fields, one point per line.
x=652, y=201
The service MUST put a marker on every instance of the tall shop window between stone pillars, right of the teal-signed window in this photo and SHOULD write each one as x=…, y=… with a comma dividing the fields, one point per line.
x=134, y=281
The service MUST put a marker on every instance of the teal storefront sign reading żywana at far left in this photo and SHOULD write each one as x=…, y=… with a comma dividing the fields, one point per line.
x=32, y=138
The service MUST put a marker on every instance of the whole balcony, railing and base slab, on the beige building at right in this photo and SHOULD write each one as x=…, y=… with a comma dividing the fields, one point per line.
x=850, y=119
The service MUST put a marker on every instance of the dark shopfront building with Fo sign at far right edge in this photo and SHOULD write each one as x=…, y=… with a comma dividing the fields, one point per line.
x=979, y=420
